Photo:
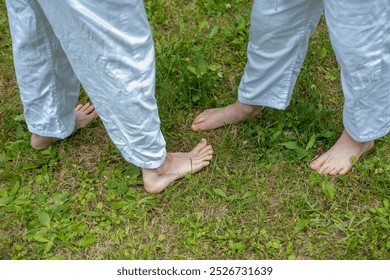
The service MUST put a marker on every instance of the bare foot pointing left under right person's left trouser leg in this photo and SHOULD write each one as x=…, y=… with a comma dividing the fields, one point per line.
x=234, y=113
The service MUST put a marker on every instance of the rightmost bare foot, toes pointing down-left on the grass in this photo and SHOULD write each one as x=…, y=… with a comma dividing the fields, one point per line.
x=338, y=160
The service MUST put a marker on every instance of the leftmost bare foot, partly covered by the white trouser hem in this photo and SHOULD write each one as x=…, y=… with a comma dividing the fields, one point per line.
x=84, y=115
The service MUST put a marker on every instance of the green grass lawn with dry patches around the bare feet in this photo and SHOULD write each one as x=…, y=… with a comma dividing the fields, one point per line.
x=258, y=199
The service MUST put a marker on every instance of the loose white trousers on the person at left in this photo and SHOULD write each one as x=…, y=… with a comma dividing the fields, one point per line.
x=106, y=46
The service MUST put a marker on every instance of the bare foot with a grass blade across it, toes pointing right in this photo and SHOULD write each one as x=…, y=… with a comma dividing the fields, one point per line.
x=176, y=166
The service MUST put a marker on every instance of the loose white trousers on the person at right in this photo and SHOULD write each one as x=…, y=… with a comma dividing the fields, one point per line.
x=360, y=34
